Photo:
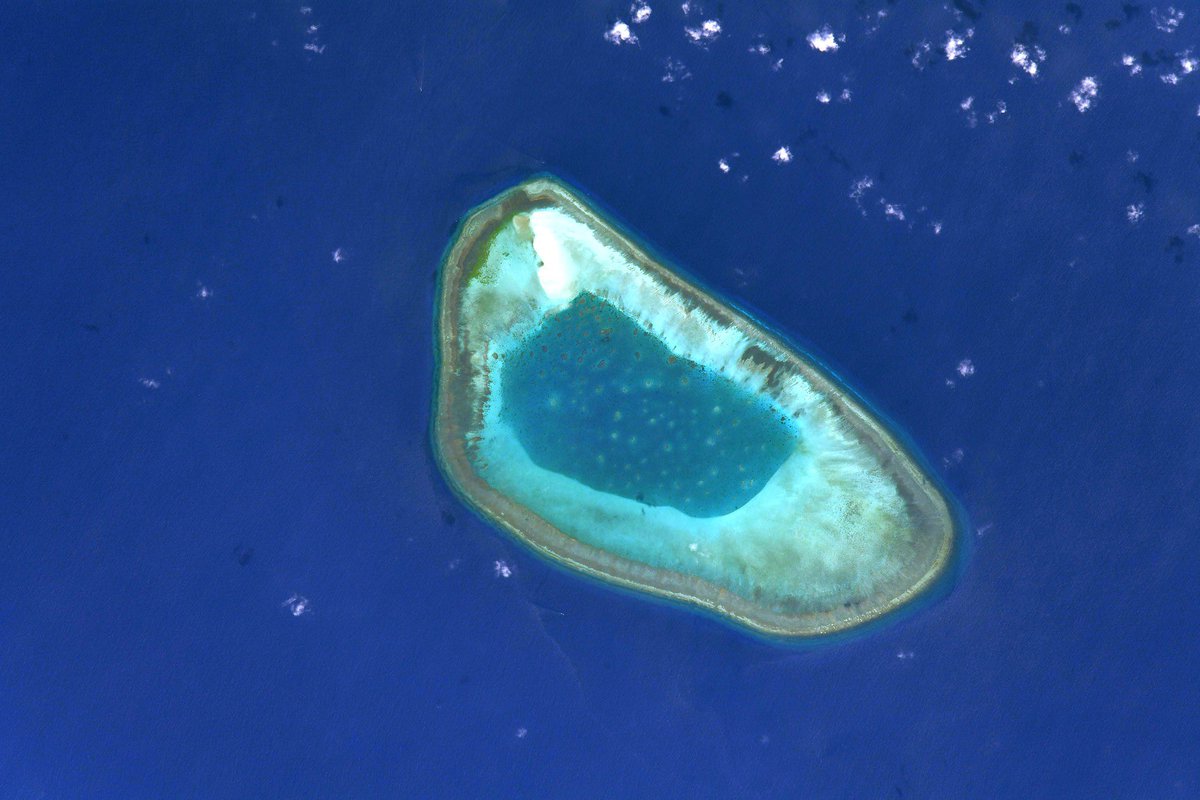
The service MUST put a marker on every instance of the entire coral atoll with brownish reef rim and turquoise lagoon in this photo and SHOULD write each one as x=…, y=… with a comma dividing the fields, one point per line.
x=631, y=425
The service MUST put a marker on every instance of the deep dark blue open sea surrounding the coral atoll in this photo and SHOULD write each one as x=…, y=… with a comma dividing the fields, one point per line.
x=232, y=570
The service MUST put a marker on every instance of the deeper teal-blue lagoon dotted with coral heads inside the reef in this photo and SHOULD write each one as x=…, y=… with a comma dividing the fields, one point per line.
x=596, y=398
